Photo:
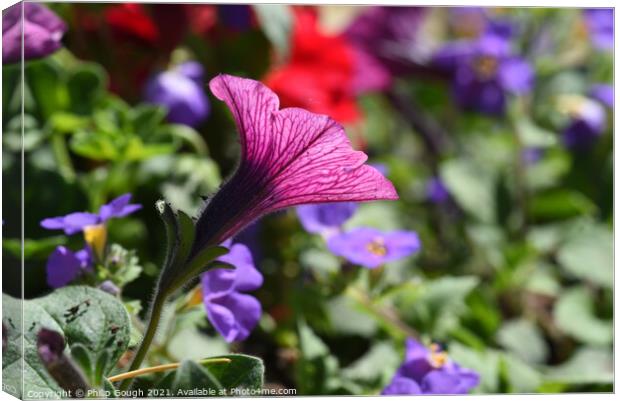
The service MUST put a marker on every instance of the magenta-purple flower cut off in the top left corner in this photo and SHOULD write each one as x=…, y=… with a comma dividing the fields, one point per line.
x=42, y=31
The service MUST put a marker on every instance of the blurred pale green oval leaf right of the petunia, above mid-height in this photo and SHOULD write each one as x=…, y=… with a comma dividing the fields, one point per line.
x=471, y=186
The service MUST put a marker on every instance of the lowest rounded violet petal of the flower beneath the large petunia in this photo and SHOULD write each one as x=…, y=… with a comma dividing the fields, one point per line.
x=234, y=316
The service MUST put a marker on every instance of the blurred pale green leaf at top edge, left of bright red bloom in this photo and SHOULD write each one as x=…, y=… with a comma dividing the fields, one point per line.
x=276, y=20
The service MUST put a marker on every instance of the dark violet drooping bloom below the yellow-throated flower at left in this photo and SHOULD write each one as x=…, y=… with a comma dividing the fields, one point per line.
x=63, y=265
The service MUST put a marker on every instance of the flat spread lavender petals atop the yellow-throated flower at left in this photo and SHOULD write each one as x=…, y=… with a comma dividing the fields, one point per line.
x=76, y=222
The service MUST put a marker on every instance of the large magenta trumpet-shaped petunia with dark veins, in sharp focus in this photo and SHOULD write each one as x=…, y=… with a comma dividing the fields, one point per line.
x=289, y=157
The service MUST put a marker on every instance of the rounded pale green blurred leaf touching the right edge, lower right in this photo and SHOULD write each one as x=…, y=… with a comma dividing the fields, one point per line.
x=574, y=314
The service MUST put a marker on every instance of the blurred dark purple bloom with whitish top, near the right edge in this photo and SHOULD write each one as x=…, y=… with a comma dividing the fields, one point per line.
x=587, y=124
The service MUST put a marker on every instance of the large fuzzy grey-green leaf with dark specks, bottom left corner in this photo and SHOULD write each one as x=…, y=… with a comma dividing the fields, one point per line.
x=92, y=321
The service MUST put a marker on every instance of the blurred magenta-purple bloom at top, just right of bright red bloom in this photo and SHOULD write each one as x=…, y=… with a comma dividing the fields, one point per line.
x=384, y=38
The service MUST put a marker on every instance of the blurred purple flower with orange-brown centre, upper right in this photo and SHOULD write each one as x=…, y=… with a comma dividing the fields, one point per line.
x=484, y=71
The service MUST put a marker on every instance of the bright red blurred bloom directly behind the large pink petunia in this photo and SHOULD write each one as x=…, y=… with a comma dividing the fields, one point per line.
x=319, y=73
